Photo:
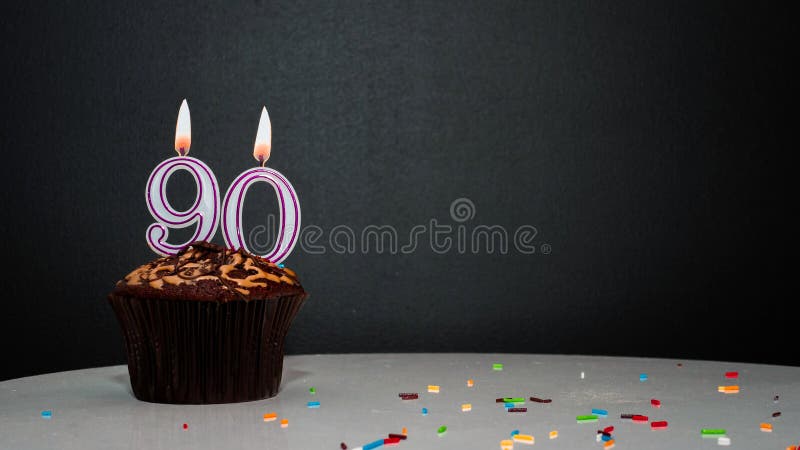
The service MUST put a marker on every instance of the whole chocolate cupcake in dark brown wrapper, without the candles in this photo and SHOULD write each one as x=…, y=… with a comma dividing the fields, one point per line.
x=206, y=325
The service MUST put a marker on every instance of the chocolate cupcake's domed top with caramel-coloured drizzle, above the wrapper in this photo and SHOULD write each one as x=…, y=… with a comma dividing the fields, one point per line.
x=208, y=272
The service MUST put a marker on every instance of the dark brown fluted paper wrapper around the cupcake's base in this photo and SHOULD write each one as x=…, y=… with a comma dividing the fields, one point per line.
x=200, y=352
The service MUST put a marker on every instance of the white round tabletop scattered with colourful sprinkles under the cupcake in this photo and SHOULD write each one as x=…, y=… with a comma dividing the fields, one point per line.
x=95, y=409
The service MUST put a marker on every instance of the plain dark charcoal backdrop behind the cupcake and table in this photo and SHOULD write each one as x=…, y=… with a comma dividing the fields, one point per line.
x=641, y=139
